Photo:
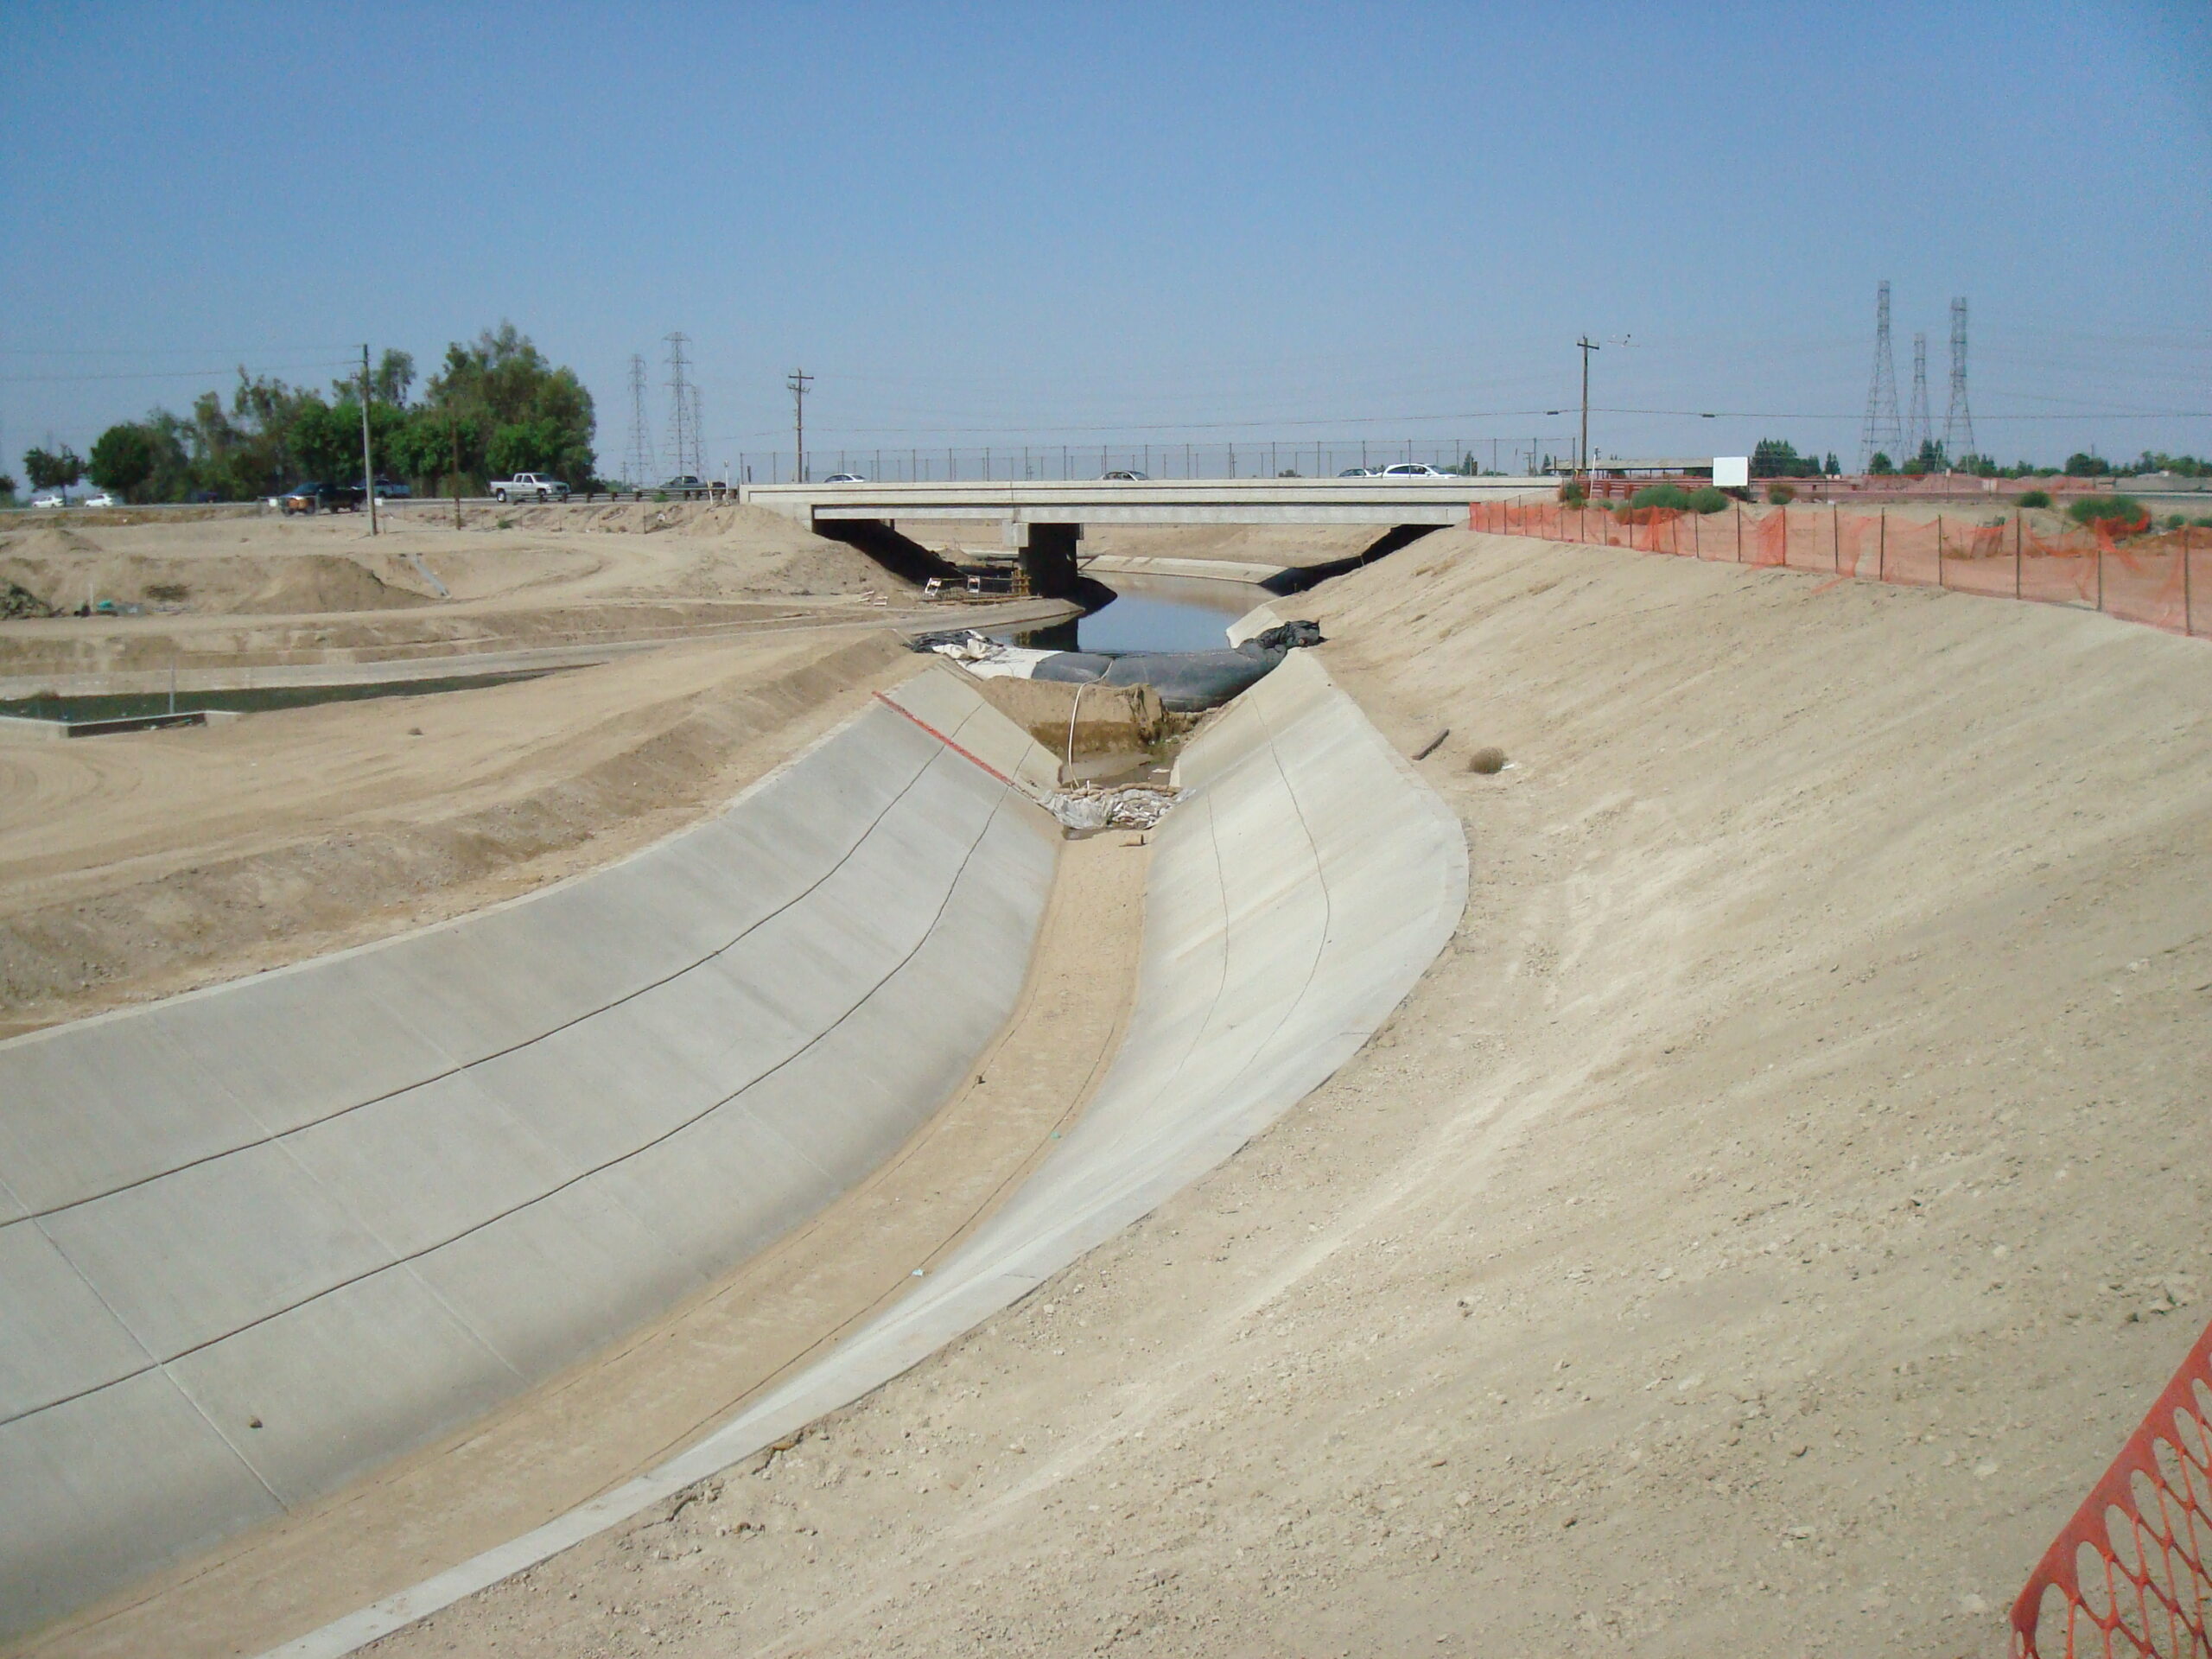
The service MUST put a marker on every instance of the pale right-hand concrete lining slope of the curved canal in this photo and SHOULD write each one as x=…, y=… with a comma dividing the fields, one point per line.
x=1295, y=899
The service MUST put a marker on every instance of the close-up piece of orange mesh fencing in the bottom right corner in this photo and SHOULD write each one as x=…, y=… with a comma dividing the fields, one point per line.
x=2127, y=1578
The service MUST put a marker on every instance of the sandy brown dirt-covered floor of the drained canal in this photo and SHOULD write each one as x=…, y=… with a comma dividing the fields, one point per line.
x=654, y=1392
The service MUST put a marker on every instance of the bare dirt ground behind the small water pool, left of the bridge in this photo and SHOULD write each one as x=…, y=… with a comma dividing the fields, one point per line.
x=264, y=592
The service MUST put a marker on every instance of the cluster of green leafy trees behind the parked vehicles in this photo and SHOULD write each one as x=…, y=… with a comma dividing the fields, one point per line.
x=494, y=408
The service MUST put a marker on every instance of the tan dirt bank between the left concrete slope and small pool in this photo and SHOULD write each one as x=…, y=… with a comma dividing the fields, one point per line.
x=143, y=866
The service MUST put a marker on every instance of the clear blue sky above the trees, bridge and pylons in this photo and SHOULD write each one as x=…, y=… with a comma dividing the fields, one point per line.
x=1129, y=222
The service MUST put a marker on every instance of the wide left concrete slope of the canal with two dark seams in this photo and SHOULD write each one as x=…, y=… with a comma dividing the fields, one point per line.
x=264, y=1238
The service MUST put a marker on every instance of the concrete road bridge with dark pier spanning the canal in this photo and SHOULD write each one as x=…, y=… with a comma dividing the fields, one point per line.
x=1045, y=519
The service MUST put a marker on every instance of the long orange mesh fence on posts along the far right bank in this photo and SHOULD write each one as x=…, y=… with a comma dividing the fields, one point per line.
x=2138, y=578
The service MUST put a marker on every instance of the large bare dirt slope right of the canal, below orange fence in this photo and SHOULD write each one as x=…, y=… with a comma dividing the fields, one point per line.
x=1753, y=1238
